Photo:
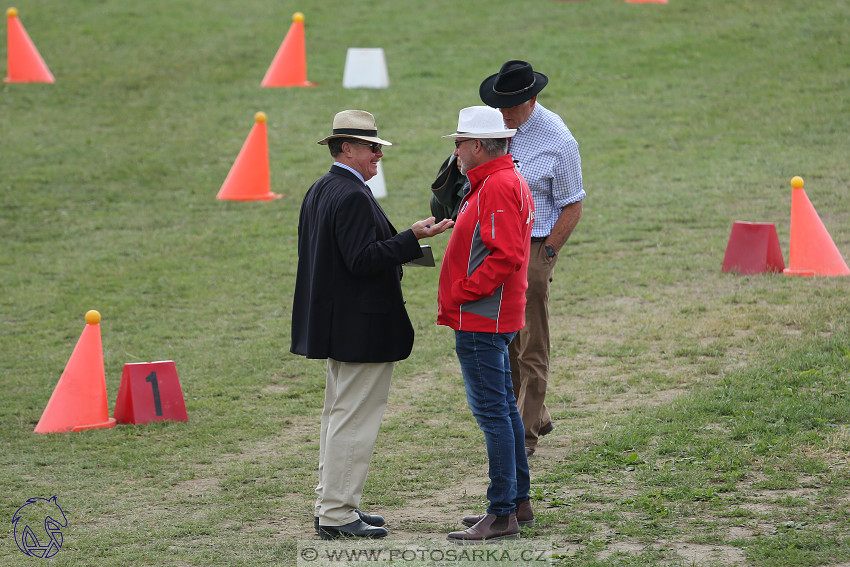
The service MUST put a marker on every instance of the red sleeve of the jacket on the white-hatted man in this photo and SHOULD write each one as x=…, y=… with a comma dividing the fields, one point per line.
x=500, y=226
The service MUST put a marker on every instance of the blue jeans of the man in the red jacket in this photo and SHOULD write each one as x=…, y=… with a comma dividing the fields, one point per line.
x=486, y=370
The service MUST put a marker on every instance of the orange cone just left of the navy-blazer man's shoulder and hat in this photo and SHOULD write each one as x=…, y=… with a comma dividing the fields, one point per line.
x=249, y=178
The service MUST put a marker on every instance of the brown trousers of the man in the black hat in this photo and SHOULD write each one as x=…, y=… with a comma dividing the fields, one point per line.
x=529, y=351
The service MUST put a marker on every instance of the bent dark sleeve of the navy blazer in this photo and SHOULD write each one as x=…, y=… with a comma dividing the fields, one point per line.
x=364, y=249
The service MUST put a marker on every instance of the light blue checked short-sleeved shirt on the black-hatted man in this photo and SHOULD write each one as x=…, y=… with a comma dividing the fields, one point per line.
x=549, y=161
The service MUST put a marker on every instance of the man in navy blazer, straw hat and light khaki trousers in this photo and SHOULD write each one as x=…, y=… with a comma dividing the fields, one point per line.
x=349, y=309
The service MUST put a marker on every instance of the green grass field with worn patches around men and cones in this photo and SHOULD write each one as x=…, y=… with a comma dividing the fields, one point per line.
x=701, y=417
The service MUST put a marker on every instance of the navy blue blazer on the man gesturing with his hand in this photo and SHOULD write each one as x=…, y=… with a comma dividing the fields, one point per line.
x=348, y=302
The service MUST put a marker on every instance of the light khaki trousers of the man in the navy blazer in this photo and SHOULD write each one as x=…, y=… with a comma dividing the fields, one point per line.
x=355, y=399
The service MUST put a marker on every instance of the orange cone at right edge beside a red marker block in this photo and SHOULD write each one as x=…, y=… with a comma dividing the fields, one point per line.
x=812, y=251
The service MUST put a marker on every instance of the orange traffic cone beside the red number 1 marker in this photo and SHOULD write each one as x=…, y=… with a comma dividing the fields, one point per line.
x=79, y=399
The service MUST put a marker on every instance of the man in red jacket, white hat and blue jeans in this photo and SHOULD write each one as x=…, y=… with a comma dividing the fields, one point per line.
x=482, y=297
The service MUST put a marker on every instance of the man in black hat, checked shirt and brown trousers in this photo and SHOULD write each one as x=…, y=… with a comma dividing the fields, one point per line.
x=548, y=158
